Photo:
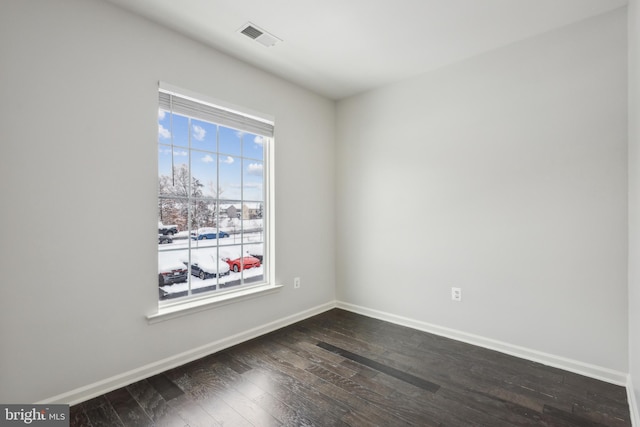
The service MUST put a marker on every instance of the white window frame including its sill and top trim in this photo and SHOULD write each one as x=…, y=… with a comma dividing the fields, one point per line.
x=168, y=309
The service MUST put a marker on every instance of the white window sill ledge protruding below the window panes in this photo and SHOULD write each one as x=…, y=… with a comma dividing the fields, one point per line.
x=171, y=311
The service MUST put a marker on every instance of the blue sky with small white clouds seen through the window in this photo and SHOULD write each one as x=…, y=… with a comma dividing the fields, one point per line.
x=236, y=158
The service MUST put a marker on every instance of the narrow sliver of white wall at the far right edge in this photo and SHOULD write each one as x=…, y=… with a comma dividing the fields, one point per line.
x=634, y=199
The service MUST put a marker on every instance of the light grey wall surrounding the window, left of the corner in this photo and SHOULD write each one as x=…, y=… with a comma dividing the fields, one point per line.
x=78, y=132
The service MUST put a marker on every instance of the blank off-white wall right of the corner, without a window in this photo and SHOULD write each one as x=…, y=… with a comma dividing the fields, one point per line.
x=504, y=175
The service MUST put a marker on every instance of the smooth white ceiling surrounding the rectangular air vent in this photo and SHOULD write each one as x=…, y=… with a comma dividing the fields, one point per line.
x=341, y=47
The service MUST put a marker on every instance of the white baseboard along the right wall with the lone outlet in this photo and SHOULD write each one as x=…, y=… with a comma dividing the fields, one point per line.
x=593, y=371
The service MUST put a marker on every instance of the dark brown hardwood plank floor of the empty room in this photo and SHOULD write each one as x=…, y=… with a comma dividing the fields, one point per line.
x=344, y=369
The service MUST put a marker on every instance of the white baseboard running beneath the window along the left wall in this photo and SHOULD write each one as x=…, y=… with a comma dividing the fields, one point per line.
x=109, y=384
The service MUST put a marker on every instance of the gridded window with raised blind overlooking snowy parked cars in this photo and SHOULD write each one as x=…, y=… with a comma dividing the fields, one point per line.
x=213, y=196
